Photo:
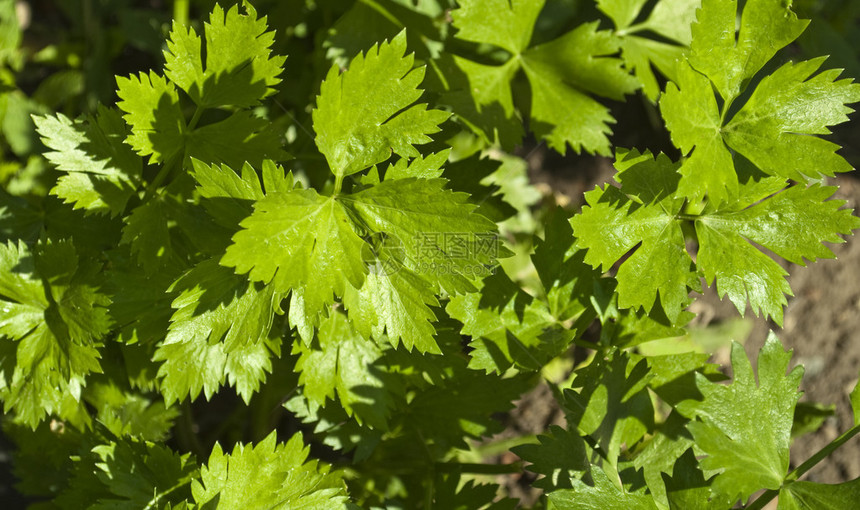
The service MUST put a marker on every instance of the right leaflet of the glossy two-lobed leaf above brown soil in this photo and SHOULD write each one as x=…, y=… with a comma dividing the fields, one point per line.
x=791, y=224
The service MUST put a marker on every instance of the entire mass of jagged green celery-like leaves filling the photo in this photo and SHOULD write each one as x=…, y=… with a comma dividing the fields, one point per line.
x=339, y=239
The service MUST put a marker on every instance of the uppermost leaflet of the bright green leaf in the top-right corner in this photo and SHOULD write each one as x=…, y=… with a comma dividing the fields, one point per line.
x=731, y=61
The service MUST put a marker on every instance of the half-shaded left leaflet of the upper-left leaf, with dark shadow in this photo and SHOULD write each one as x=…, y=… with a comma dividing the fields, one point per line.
x=152, y=109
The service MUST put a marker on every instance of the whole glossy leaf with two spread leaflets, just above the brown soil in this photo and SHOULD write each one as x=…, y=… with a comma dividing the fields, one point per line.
x=791, y=223
